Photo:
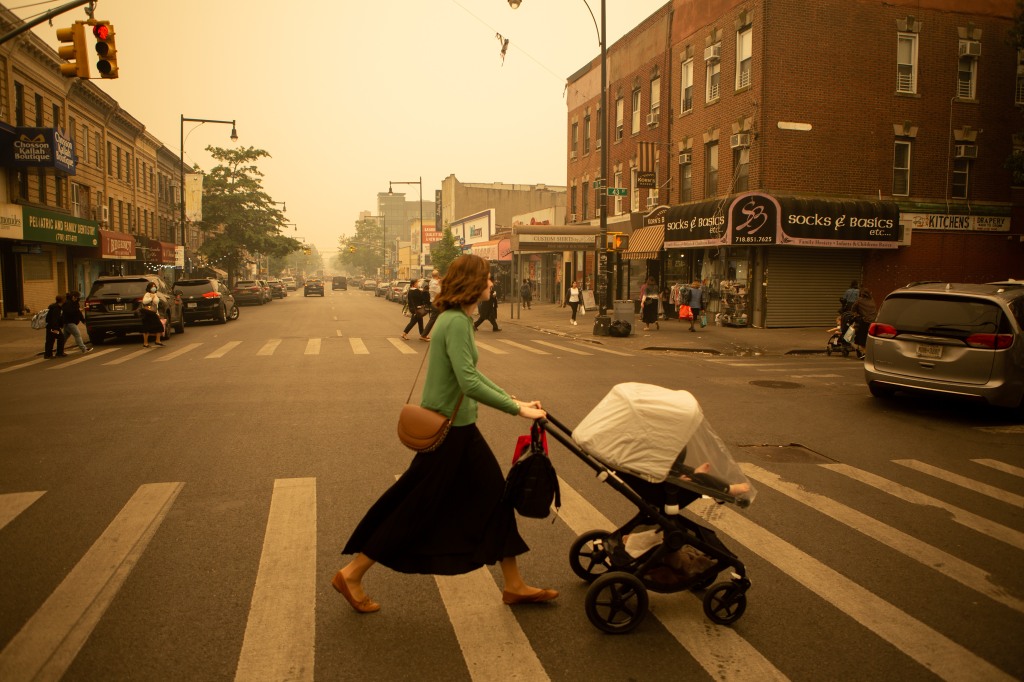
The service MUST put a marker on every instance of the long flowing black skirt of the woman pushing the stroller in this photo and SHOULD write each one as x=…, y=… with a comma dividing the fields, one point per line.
x=445, y=517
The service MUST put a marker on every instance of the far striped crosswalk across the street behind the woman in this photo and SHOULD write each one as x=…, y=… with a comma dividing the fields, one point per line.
x=332, y=347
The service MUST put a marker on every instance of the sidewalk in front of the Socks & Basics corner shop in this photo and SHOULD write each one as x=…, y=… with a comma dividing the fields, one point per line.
x=674, y=334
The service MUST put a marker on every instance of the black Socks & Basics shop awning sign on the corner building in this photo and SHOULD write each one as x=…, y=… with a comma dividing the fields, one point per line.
x=759, y=220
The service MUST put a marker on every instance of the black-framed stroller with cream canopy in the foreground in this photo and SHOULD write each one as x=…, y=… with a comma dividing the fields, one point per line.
x=654, y=447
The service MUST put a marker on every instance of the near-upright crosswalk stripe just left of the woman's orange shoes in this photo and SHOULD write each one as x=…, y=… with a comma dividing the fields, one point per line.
x=280, y=637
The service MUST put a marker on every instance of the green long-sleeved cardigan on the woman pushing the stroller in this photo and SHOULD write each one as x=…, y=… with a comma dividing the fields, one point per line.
x=453, y=371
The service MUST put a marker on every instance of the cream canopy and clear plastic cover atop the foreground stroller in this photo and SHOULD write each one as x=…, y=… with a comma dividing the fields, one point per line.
x=657, y=434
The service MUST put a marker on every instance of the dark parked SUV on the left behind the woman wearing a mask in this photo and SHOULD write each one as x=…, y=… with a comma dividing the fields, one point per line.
x=112, y=307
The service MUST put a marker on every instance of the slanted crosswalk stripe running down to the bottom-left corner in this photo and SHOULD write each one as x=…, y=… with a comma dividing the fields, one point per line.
x=48, y=645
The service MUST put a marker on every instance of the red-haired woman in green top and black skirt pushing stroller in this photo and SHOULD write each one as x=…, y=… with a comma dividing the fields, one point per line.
x=447, y=515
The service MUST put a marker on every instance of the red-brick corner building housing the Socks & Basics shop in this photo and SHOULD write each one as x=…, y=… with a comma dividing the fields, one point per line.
x=778, y=150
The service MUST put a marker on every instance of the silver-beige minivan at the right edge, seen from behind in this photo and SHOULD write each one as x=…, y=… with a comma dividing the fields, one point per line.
x=954, y=339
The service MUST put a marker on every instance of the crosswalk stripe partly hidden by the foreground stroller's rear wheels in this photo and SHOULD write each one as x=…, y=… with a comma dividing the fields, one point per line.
x=722, y=653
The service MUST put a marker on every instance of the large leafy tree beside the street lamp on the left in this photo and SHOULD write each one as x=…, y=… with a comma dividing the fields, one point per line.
x=239, y=218
